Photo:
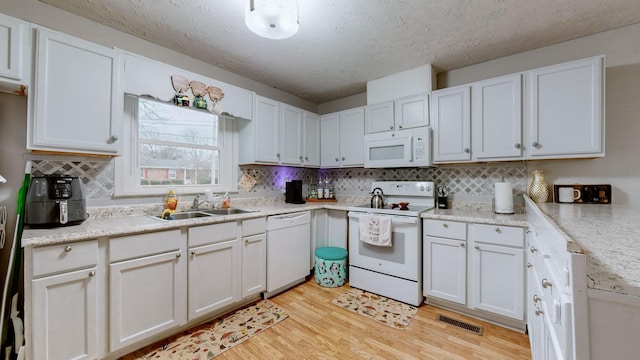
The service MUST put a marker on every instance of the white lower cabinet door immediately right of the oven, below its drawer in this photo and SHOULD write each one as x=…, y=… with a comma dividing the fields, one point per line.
x=445, y=268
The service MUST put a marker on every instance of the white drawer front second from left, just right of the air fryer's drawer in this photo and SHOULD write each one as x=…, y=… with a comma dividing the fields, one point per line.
x=128, y=247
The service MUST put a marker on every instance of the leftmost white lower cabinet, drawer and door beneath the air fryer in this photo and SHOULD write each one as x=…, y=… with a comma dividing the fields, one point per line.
x=64, y=277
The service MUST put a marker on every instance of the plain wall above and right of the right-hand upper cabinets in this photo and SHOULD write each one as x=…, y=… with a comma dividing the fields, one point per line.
x=620, y=167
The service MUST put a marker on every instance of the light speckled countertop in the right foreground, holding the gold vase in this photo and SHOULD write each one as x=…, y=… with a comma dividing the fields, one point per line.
x=610, y=237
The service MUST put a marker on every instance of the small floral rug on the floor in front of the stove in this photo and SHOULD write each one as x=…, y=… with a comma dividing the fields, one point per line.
x=387, y=311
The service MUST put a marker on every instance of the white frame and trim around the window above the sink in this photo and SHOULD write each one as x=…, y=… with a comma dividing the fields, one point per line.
x=127, y=173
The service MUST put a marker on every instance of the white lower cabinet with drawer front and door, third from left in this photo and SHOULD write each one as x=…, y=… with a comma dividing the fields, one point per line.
x=214, y=267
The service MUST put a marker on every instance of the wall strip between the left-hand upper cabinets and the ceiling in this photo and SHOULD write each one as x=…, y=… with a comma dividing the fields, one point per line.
x=54, y=18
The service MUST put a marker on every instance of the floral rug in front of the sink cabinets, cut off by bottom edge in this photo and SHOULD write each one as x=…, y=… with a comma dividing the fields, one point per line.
x=210, y=339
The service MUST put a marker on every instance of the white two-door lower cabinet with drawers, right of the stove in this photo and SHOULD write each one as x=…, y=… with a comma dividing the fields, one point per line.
x=475, y=265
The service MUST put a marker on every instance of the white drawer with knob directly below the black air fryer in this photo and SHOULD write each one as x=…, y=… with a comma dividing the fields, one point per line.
x=64, y=257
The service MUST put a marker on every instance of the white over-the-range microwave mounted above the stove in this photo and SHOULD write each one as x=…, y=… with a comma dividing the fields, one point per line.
x=403, y=148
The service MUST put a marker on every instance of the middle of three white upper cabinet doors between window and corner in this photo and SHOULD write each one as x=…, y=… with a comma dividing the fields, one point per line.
x=291, y=139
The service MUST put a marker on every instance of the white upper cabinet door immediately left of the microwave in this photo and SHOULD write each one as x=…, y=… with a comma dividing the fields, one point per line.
x=352, y=137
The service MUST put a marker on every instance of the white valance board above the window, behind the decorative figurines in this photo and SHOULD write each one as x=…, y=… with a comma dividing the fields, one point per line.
x=142, y=76
